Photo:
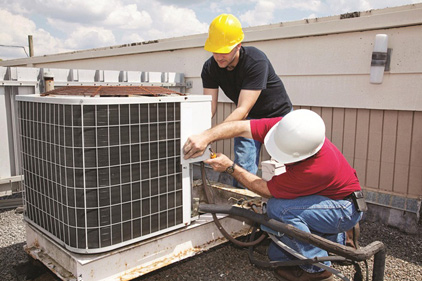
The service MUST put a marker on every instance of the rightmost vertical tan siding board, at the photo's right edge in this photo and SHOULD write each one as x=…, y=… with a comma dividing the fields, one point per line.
x=415, y=174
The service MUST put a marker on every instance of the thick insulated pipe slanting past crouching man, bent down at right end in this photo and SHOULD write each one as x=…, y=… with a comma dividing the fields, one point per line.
x=376, y=248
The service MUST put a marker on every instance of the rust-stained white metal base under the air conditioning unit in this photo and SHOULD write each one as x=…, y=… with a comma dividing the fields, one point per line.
x=130, y=262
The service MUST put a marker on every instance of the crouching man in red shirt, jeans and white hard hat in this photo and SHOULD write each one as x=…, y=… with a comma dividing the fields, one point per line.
x=316, y=192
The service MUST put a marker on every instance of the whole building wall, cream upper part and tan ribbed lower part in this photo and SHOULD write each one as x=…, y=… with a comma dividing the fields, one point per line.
x=325, y=65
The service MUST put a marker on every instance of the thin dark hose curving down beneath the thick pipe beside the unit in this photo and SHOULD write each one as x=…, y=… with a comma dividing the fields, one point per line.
x=210, y=200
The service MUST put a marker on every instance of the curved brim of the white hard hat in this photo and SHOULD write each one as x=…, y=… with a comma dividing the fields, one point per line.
x=279, y=155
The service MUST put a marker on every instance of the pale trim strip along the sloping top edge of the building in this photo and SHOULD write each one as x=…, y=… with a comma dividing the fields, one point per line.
x=407, y=15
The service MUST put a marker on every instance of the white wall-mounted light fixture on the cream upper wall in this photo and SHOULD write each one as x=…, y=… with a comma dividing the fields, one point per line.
x=380, y=59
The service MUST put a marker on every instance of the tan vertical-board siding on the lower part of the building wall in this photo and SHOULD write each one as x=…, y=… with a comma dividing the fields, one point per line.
x=384, y=146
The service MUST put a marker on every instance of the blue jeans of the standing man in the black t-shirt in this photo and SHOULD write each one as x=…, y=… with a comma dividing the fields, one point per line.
x=246, y=155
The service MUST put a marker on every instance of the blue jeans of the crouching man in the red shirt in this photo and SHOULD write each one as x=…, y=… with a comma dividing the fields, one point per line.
x=313, y=214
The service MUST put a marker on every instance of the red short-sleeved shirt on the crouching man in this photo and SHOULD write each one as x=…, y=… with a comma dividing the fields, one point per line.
x=326, y=173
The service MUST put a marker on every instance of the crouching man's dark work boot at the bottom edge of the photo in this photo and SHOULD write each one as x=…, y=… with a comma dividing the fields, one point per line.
x=295, y=273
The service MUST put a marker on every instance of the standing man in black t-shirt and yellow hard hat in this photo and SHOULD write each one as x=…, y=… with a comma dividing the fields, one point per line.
x=246, y=77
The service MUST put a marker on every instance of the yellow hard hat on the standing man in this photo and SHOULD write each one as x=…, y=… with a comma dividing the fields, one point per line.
x=224, y=33
